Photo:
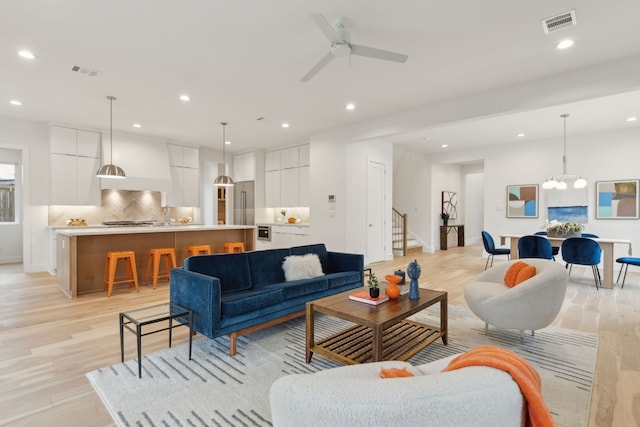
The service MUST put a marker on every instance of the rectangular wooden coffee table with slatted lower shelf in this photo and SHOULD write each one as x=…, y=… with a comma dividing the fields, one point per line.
x=381, y=332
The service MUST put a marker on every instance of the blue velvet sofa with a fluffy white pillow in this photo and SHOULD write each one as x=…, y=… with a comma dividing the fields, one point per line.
x=240, y=293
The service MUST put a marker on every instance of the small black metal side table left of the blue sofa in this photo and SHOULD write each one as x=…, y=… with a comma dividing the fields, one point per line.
x=134, y=320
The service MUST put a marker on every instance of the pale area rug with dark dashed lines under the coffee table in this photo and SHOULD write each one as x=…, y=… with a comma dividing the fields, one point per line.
x=215, y=389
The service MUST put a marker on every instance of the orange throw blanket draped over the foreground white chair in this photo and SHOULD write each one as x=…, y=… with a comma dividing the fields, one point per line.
x=522, y=373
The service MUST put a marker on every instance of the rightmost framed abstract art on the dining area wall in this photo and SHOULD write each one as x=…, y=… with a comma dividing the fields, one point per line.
x=617, y=199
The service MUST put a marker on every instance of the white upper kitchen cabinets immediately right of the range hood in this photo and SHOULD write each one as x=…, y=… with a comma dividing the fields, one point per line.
x=185, y=176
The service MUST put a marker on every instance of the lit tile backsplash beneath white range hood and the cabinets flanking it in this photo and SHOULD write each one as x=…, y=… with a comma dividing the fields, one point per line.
x=119, y=205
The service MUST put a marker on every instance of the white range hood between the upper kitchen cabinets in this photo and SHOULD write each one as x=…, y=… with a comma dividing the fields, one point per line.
x=145, y=161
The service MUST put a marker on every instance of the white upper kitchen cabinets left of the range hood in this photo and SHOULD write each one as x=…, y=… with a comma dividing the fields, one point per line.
x=75, y=158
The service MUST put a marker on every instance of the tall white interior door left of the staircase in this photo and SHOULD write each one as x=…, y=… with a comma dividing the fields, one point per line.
x=376, y=209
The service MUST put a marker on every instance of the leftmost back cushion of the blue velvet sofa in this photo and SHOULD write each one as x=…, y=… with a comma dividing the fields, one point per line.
x=231, y=269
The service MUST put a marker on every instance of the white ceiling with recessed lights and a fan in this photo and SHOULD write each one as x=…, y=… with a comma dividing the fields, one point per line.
x=243, y=59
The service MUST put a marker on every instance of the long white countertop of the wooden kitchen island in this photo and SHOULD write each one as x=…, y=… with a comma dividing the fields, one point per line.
x=104, y=230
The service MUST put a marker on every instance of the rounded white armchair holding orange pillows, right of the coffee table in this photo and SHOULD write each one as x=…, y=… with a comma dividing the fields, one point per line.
x=531, y=305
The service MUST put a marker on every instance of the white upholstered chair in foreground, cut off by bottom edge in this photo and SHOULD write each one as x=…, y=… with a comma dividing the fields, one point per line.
x=353, y=396
